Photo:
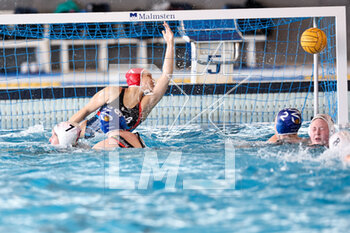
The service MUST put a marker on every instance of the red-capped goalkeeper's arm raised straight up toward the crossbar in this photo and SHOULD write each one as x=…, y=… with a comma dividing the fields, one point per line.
x=168, y=67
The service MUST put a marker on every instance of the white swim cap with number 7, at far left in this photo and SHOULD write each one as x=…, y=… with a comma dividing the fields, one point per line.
x=67, y=133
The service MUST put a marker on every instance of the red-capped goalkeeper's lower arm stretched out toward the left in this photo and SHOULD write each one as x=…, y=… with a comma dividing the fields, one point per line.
x=99, y=99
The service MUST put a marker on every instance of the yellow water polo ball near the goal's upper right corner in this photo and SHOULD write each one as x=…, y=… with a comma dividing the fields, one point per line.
x=313, y=40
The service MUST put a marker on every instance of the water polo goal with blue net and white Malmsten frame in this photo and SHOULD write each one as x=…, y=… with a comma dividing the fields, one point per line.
x=231, y=66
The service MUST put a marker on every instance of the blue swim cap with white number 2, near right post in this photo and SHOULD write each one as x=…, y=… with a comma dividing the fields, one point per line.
x=288, y=121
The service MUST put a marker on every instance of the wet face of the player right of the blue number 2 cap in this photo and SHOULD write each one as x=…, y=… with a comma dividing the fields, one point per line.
x=319, y=132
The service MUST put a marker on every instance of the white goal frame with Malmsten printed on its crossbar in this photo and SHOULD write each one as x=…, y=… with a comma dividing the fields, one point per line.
x=339, y=12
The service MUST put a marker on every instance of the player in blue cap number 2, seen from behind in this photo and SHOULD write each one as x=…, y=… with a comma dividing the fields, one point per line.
x=287, y=125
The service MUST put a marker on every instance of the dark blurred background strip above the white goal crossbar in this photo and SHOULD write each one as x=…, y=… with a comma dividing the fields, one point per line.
x=44, y=6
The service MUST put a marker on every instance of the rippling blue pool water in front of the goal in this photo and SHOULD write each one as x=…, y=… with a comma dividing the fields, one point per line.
x=290, y=188
